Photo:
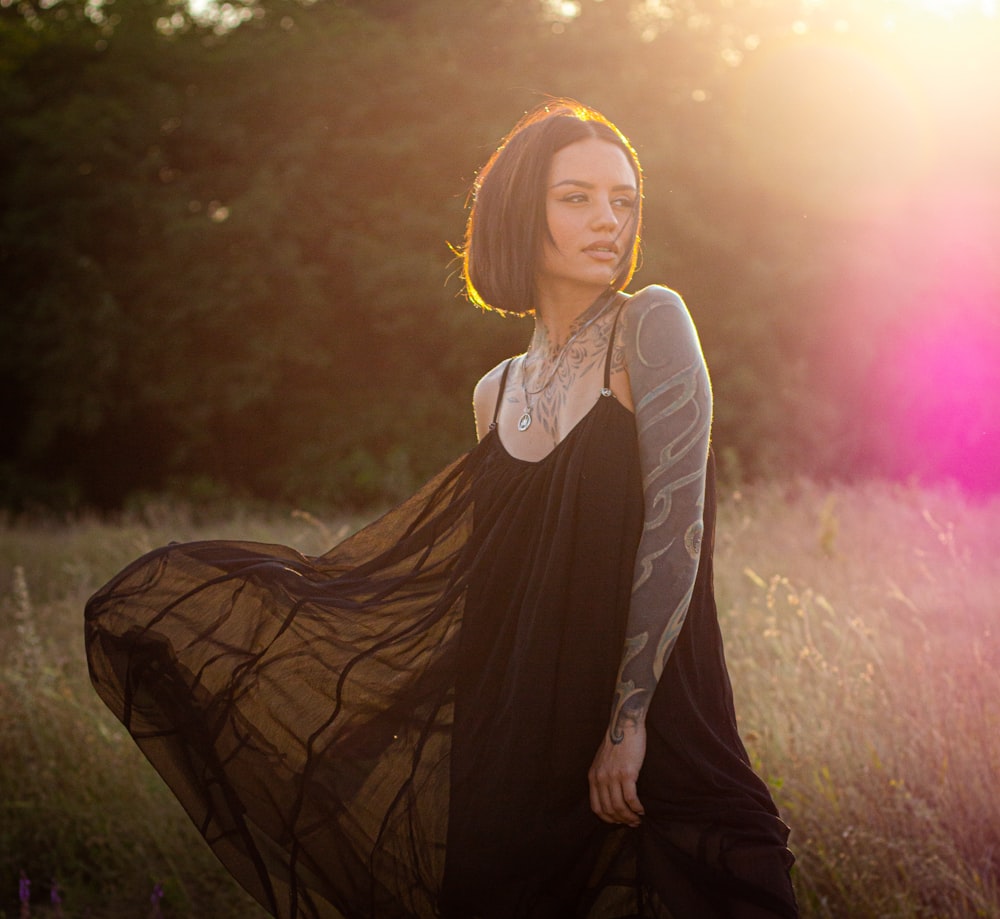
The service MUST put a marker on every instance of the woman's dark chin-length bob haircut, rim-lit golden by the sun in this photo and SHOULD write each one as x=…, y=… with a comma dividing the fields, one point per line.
x=507, y=222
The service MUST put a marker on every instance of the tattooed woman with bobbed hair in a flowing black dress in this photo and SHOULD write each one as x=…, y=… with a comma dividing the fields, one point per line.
x=507, y=697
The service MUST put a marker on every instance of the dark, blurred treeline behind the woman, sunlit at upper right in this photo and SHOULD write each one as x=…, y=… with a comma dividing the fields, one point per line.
x=224, y=258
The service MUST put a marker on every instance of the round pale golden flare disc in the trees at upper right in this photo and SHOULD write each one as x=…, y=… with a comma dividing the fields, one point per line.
x=832, y=125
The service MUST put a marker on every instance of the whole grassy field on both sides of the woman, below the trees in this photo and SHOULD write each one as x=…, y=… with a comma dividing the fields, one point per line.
x=862, y=636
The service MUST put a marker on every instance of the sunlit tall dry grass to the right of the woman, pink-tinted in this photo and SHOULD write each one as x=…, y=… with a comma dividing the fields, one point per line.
x=862, y=636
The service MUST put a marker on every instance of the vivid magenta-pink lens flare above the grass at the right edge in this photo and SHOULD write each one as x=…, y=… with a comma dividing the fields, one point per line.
x=934, y=392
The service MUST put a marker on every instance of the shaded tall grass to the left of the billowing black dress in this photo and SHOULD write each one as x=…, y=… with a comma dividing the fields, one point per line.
x=78, y=802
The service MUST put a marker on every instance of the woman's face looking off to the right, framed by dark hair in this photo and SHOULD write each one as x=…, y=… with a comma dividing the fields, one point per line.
x=590, y=205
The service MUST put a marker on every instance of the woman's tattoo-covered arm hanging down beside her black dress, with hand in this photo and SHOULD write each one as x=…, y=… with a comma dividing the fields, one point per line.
x=673, y=407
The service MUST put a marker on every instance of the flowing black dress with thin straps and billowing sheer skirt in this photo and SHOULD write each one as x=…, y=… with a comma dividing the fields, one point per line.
x=403, y=726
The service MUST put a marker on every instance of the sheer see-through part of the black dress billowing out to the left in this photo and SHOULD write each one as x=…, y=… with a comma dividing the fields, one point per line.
x=301, y=708
